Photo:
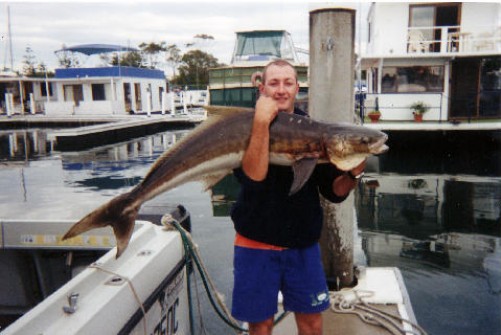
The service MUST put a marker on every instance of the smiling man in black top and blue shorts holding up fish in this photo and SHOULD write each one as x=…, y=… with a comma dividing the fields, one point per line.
x=276, y=245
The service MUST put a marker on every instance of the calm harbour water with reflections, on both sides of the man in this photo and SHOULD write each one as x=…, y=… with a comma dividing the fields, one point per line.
x=435, y=216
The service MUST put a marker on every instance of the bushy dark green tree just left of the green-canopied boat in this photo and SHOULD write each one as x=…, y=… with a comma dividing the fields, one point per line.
x=195, y=68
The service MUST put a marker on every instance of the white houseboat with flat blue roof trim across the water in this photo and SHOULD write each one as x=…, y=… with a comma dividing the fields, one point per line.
x=107, y=90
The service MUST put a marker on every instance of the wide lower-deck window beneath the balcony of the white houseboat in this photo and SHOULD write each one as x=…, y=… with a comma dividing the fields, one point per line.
x=412, y=79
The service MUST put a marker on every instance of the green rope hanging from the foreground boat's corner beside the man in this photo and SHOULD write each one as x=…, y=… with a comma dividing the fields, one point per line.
x=217, y=302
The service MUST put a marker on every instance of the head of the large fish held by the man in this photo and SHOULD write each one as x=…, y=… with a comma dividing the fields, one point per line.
x=347, y=146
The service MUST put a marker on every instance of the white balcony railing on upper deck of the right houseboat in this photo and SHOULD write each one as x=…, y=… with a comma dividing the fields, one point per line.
x=452, y=39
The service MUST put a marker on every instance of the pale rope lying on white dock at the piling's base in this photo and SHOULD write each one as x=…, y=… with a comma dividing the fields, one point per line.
x=370, y=314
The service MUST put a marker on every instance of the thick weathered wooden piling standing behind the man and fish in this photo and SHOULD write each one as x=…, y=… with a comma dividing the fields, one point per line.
x=332, y=63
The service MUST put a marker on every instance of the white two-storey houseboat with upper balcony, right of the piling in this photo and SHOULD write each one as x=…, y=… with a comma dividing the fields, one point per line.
x=445, y=54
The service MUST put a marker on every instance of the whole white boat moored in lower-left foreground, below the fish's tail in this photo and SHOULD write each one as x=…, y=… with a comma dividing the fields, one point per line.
x=76, y=286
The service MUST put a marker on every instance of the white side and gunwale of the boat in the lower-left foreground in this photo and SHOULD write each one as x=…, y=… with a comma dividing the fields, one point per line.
x=112, y=294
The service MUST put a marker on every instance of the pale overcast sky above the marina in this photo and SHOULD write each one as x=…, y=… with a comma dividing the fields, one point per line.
x=46, y=26
